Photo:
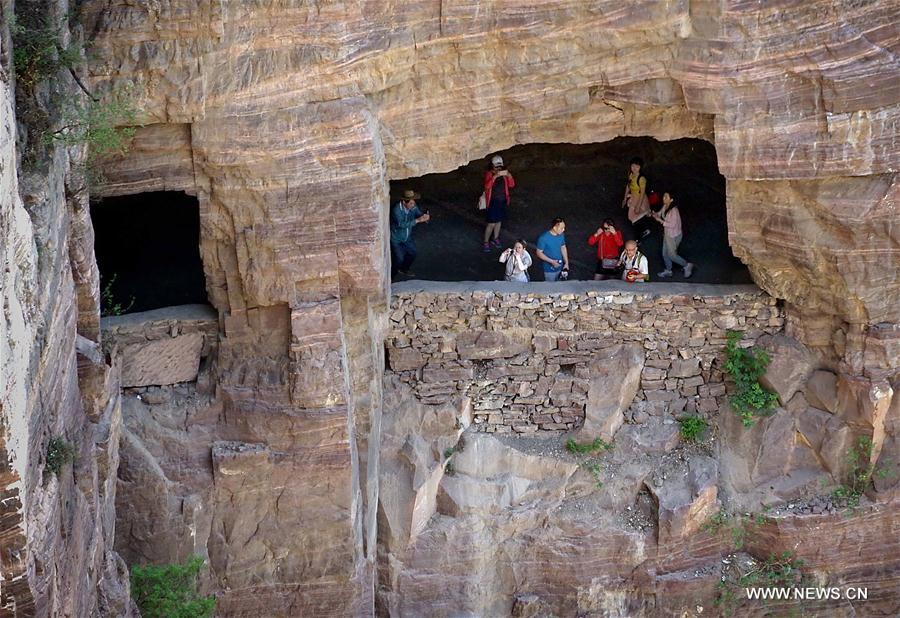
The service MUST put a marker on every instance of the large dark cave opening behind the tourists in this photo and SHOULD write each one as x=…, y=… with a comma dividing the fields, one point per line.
x=583, y=184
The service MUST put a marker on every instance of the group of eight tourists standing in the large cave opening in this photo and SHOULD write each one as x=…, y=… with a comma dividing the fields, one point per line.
x=616, y=258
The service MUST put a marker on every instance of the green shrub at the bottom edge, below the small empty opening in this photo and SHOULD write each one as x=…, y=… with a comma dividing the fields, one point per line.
x=170, y=590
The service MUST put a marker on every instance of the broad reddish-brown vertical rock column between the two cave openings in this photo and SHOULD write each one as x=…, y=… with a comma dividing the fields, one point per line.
x=292, y=241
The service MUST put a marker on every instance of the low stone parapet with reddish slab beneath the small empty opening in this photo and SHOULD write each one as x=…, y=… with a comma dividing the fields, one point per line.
x=162, y=346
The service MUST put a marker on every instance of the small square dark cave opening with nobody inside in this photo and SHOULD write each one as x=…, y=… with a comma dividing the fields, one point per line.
x=148, y=251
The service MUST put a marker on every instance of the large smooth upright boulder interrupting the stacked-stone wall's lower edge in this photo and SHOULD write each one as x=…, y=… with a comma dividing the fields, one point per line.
x=615, y=377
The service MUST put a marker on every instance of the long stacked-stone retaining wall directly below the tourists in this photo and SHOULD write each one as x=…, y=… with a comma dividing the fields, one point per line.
x=526, y=355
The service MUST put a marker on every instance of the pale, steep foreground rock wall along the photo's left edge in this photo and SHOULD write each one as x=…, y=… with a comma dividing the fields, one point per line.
x=57, y=530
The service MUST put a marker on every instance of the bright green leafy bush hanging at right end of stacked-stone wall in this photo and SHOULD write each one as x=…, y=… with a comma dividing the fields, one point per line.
x=745, y=366
